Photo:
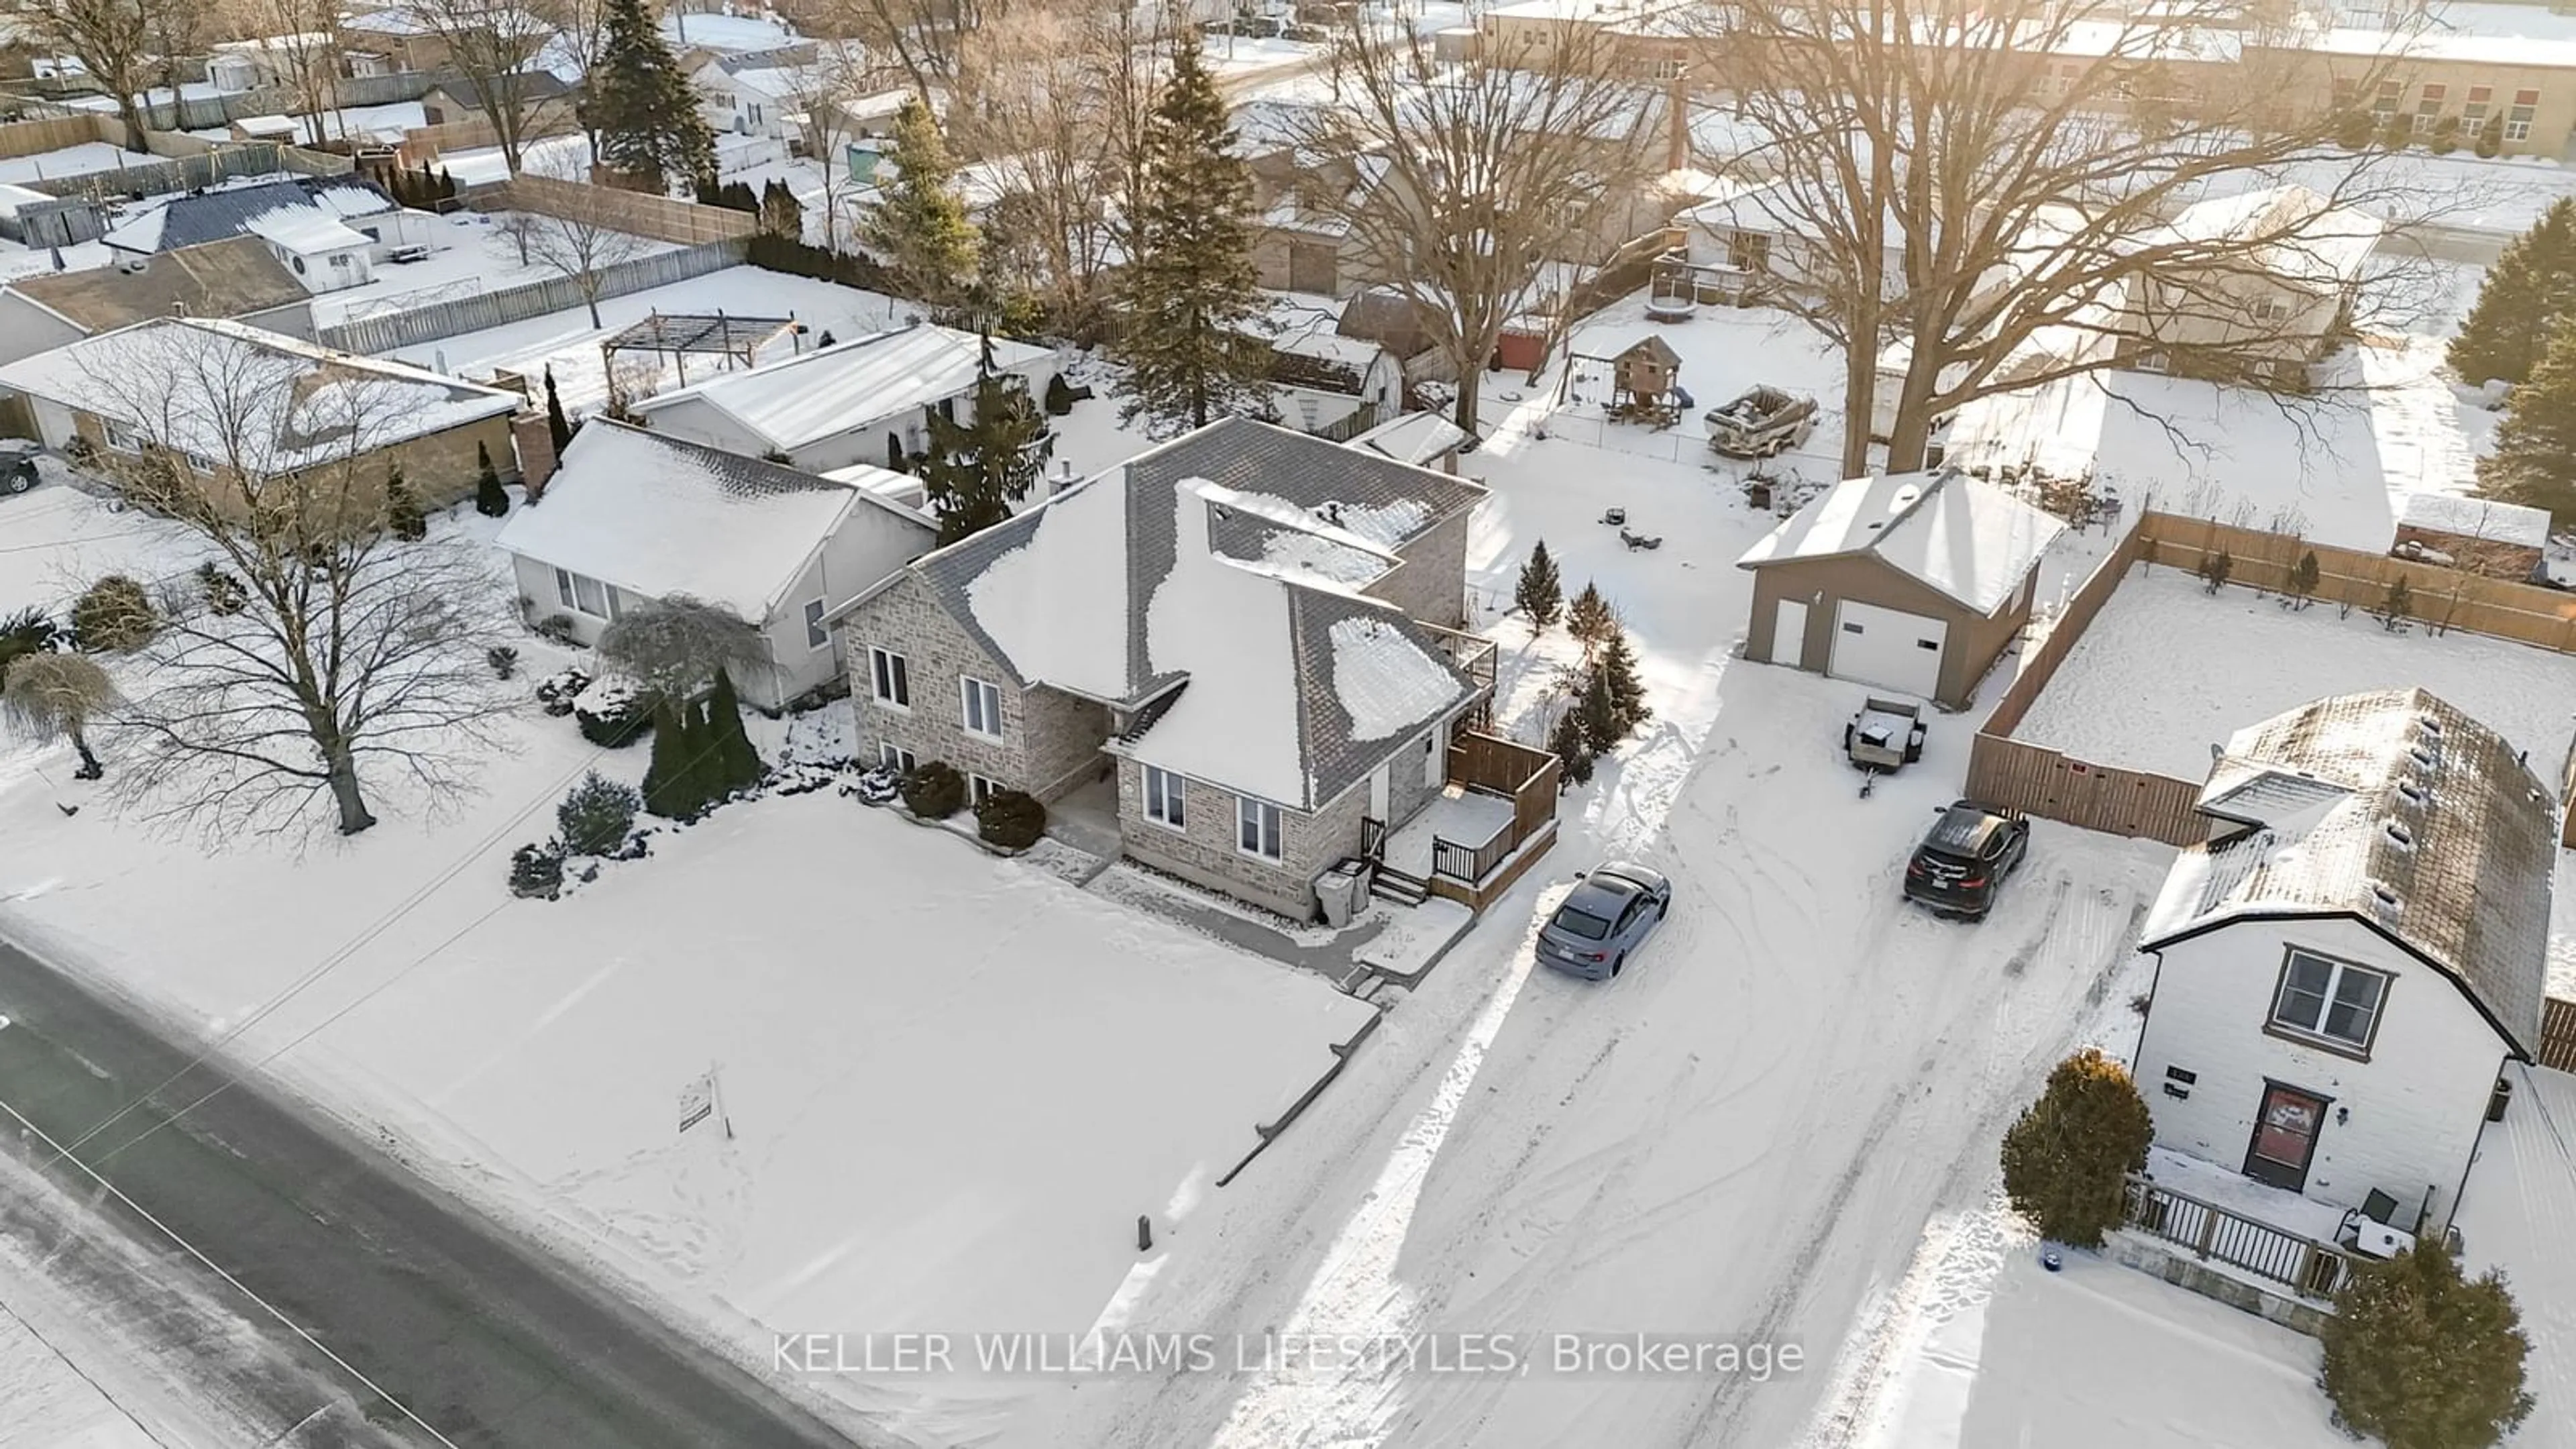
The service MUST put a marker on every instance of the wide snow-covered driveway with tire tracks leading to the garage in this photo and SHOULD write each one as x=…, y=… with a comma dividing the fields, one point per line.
x=1738, y=1141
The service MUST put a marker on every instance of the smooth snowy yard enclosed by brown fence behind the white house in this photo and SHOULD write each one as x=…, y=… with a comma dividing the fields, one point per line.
x=2168, y=672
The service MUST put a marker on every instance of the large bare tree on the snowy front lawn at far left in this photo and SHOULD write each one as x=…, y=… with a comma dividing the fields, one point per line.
x=331, y=661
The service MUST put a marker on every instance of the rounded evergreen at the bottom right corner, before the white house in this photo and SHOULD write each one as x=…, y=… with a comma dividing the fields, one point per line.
x=2423, y=1357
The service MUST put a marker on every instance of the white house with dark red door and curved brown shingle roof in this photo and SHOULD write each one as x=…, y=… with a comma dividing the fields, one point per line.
x=2351, y=960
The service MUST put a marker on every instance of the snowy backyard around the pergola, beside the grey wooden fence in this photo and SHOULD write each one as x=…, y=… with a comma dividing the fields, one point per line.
x=571, y=344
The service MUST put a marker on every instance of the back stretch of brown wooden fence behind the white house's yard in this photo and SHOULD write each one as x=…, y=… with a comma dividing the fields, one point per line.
x=2441, y=597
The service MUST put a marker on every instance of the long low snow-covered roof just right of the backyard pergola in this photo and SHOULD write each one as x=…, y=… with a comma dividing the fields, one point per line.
x=849, y=385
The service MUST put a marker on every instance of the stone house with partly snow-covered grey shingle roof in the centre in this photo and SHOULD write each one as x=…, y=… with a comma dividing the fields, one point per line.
x=1248, y=630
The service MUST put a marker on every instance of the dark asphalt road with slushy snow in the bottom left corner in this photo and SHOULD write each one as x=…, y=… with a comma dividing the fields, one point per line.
x=473, y=1332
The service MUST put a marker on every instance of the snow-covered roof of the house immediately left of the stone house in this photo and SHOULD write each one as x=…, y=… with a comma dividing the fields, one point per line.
x=661, y=517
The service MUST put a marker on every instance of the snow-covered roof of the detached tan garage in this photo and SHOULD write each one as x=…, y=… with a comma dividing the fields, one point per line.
x=1967, y=540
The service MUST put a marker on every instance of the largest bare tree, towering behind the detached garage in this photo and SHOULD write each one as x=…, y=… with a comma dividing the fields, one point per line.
x=1990, y=190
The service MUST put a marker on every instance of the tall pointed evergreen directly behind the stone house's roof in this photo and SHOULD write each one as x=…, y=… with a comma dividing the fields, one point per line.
x=1191, y=290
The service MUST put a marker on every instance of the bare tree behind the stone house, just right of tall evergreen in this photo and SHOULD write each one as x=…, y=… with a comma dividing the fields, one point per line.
x=1485, y=171
